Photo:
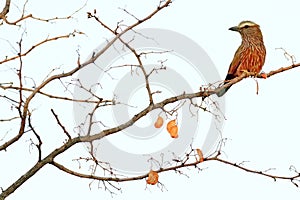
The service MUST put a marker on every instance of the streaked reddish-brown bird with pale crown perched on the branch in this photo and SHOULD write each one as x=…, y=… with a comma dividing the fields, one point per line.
x=250, y=56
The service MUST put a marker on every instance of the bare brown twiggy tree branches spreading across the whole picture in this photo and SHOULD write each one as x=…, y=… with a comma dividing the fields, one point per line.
x=25, y=96
